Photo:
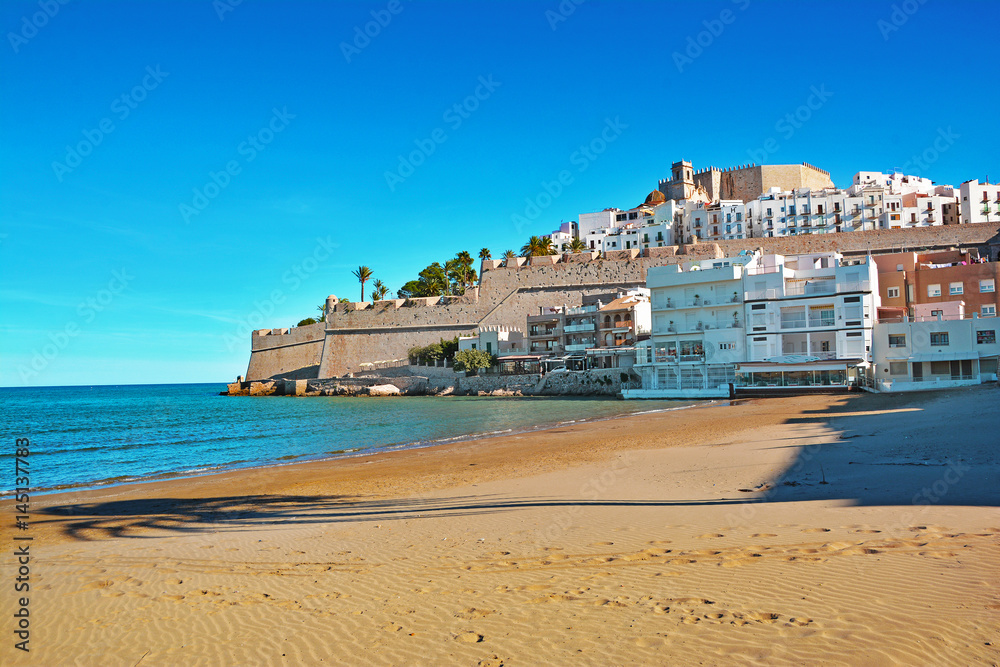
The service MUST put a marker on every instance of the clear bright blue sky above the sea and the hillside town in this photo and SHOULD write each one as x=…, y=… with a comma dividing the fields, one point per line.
x=176, y=174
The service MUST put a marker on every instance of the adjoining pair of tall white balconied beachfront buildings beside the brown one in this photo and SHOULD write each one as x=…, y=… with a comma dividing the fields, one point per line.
x=764, y=324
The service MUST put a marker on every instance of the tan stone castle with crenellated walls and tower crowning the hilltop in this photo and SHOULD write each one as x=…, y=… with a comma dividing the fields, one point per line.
x=744, y=183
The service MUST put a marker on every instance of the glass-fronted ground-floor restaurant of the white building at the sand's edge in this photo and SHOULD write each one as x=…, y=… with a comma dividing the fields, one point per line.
x=797, y=374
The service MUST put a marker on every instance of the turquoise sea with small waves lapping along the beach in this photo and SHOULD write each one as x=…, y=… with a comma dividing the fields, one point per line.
x=93, y=436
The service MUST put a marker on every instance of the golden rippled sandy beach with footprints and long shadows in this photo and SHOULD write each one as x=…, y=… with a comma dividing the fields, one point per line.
x=839, y=530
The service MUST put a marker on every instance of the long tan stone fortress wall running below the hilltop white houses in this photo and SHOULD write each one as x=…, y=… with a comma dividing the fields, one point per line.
x=354, y=334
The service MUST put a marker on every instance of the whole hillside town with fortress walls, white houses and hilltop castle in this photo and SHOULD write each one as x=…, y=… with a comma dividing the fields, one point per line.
x=754, y=280
